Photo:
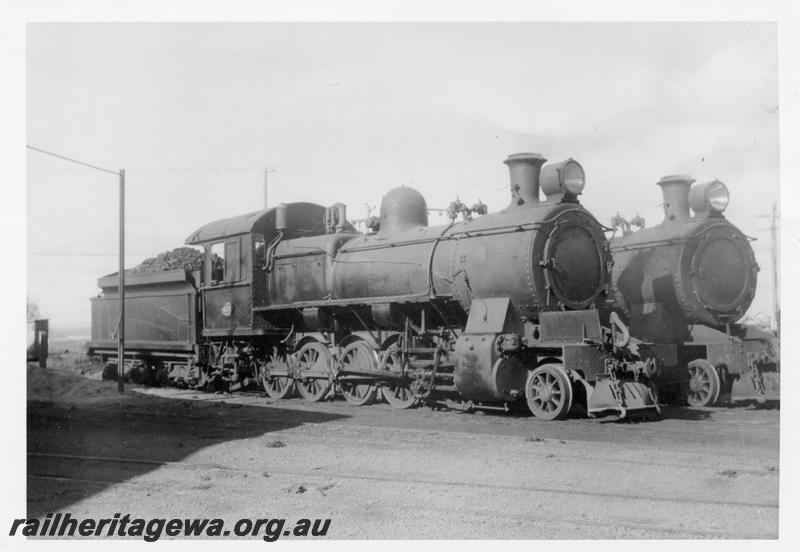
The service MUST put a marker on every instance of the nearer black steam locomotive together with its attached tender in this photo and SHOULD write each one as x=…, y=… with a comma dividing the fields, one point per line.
x=487, y=312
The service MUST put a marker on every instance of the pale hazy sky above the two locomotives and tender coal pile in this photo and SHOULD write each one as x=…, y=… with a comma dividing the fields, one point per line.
x=194, y=112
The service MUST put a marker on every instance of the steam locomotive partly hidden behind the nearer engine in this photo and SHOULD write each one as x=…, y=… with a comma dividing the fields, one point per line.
x=682, y=285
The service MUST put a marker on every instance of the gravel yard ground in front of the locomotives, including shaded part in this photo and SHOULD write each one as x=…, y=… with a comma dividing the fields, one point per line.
x=379, y=473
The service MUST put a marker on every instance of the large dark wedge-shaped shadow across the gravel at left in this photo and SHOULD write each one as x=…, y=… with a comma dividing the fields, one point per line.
x=127, y=436
